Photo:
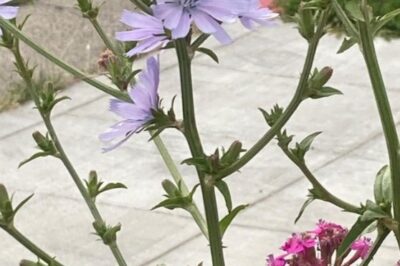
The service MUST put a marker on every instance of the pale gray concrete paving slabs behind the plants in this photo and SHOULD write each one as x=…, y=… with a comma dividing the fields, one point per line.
x=260, y=69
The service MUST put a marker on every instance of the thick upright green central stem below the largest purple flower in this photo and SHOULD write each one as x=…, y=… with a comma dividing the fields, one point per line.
x=193, y=139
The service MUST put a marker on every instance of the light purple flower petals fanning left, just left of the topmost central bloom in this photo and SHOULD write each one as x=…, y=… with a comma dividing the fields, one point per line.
x=147, y=30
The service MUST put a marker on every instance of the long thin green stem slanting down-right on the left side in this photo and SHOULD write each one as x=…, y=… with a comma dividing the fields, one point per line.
x=26, y=75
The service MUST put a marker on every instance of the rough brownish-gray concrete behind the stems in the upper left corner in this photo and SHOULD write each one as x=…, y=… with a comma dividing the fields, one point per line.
x=59, y=26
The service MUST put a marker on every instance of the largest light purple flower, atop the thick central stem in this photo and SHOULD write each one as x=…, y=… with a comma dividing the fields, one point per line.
x=178, y=16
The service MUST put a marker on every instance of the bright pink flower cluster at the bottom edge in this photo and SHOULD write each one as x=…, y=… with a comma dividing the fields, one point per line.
x=317, y=247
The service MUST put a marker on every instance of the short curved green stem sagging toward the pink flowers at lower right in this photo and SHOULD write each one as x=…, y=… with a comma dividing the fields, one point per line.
x=325, y=194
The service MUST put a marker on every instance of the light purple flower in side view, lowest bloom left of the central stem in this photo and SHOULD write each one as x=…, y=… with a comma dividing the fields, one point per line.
x=139, y=113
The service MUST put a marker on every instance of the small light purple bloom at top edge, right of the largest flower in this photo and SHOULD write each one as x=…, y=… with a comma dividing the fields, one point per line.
x=253, y=13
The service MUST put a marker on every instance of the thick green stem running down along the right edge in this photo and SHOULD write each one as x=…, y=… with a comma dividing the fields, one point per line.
x=385, y=112
